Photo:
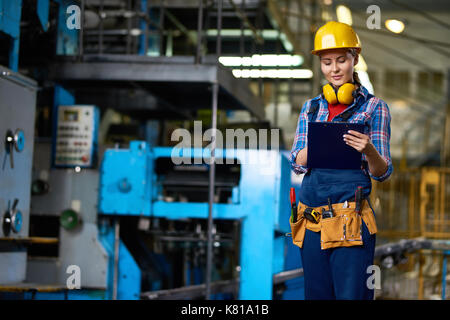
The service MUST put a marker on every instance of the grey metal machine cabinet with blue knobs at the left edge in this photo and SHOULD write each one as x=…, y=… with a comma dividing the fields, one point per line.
x=17, y=109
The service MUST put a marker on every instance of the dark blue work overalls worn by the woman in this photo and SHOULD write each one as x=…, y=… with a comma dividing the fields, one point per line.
x=336, y=273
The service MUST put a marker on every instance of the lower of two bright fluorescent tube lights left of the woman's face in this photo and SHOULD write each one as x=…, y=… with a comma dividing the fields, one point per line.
x=273, y=73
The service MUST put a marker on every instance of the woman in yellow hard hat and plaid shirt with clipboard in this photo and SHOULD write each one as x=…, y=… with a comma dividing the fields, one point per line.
x=338, y=249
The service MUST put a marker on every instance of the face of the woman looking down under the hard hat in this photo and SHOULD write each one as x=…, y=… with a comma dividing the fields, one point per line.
x=337, y=66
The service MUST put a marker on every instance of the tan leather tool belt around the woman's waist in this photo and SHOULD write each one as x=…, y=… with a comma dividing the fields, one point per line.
x=342, y=230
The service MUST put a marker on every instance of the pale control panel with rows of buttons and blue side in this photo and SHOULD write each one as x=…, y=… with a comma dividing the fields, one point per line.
x=75, y=139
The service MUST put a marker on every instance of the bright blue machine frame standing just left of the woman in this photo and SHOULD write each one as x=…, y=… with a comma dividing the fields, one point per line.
x=143, y=181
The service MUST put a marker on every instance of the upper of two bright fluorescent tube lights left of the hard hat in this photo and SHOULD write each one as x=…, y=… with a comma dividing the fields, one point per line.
x=264, y=60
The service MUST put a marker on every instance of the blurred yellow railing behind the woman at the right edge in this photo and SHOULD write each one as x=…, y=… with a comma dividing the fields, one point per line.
x=414, y=203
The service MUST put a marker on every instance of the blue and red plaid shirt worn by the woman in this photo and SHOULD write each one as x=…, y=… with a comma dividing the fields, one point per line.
x=373, y=112
